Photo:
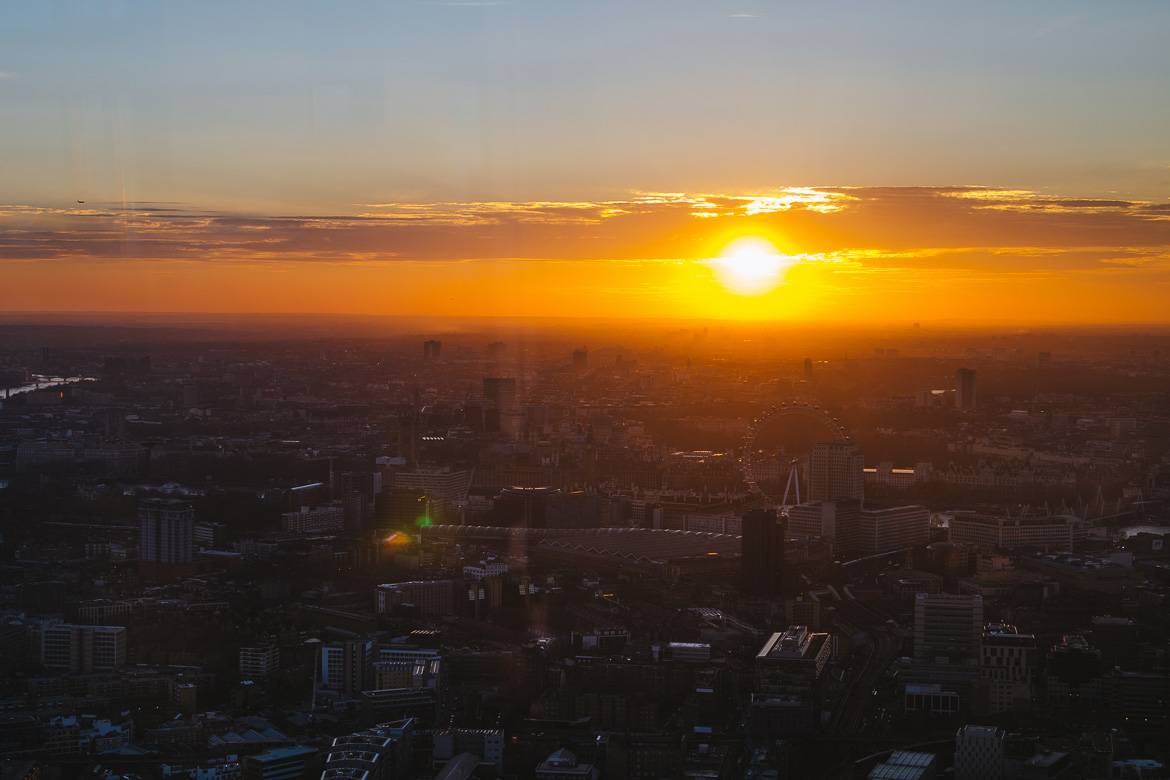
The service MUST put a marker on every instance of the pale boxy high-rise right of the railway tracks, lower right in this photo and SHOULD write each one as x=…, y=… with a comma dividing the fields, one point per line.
x=948, y=627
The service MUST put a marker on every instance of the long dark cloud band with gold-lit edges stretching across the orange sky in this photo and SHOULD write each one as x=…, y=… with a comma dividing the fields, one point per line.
x=873, y=229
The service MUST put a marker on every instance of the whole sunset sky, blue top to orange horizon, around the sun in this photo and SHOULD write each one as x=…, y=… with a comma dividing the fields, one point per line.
x=967, y=163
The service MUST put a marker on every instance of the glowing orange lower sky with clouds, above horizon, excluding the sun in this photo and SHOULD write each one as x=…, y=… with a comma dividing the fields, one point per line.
x=942, y=254
